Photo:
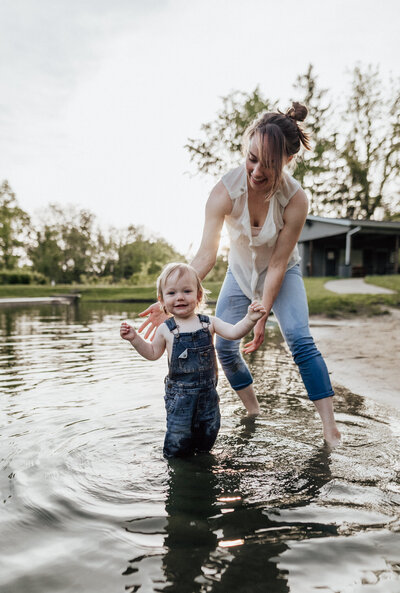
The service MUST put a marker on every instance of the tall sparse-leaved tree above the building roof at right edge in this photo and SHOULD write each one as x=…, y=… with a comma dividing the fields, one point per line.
x=370, y=152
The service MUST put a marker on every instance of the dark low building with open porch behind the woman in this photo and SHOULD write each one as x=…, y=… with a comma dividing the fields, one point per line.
x=343, y=247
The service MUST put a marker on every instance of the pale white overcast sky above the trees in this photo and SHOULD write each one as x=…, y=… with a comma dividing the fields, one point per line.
x=98, y=97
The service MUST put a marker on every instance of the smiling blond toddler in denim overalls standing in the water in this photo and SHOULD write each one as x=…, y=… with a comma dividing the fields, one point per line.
x=191, y=398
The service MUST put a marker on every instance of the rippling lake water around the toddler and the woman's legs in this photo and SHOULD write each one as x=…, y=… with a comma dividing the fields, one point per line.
x=88, y=504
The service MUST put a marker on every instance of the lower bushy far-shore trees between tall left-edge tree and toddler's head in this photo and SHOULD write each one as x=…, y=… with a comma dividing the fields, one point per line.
x=69, y=248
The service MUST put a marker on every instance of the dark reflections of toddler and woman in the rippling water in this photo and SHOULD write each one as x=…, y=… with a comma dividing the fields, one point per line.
x=232, y=542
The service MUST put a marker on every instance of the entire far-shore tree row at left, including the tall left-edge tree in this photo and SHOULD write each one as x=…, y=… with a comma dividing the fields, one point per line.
x=69, y=247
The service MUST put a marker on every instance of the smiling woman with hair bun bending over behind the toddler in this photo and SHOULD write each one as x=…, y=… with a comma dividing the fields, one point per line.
x=264, y=209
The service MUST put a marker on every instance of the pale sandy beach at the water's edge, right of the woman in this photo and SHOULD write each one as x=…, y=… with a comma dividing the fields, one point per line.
x=363, y=354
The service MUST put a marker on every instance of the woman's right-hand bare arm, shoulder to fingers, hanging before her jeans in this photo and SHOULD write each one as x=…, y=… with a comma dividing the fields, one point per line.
x=294, y=217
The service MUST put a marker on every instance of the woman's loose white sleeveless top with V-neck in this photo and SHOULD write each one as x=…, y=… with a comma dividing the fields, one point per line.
x=250, y=252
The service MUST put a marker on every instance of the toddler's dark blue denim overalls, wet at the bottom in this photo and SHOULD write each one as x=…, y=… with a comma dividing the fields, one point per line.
x=191, y=398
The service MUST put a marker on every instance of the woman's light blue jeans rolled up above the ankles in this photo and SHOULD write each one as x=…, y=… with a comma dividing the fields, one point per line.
x=291, y=310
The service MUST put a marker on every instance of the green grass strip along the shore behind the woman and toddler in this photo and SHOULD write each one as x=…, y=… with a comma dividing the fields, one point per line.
x=320, y=300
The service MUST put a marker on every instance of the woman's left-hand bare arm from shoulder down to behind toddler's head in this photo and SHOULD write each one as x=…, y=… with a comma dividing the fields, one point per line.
x=218, y=206
